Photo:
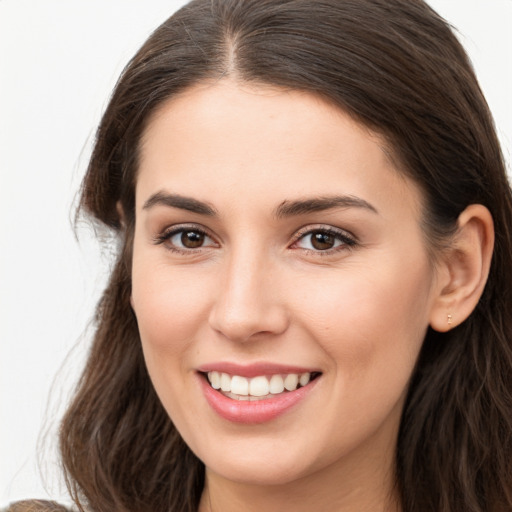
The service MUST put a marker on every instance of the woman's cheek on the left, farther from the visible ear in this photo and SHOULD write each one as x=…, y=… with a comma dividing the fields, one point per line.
x=170, y=308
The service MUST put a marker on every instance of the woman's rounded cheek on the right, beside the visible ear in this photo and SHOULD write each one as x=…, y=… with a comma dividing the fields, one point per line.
x=370, y=321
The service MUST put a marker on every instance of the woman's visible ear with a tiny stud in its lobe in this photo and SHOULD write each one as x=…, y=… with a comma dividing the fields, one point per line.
x=463, y=269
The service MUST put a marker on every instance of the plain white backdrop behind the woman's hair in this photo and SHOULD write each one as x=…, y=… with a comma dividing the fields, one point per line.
x=59, y=60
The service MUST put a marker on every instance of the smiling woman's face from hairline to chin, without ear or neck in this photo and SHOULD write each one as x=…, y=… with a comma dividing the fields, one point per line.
x=276, y=245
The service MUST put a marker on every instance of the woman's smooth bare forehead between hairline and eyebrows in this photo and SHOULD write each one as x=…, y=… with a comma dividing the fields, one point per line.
x=261, y=143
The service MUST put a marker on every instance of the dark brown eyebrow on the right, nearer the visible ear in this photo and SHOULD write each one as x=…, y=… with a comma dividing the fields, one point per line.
x=319, y=204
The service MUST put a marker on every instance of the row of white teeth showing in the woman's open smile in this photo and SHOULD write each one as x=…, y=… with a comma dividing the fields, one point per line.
x=259, y=387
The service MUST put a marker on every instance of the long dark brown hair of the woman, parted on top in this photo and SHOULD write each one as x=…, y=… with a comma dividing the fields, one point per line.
x=396, y=67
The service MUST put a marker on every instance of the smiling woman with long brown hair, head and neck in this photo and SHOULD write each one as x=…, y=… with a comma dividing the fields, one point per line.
x=308, y=310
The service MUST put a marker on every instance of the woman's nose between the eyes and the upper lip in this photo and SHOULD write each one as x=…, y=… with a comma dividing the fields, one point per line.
x=249, y=304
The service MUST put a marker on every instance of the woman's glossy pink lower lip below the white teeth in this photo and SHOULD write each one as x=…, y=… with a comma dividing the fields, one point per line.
x=257, y=411
